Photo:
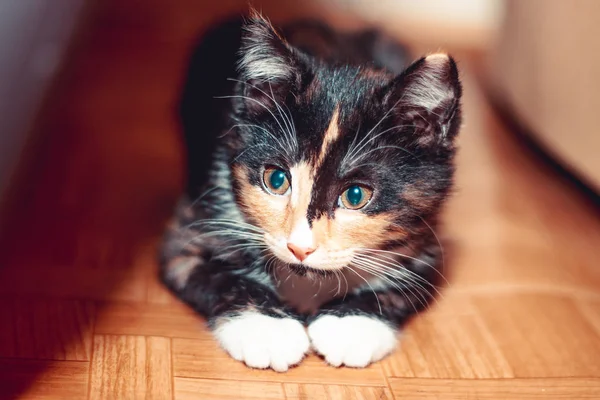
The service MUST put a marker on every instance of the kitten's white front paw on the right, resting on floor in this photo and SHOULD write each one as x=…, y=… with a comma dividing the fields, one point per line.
x=355, y=341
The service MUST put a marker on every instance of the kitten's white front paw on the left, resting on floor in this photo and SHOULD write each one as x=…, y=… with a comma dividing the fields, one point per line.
x=262, y=342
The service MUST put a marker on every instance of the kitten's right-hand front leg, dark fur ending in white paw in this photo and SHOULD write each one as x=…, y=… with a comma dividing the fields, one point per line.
x=362, y=328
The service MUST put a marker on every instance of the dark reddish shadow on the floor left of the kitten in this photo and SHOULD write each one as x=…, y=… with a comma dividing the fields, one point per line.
x=97, y=184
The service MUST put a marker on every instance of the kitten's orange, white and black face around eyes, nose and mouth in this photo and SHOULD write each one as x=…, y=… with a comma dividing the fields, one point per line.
x=312, y=210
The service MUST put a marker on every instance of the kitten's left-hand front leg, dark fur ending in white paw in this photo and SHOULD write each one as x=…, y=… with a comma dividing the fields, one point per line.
x=241, y=307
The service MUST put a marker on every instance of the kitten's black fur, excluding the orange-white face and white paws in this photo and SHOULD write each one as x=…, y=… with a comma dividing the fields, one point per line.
x=396, y=125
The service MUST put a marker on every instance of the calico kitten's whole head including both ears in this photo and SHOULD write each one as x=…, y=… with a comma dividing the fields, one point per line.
x=330, y=160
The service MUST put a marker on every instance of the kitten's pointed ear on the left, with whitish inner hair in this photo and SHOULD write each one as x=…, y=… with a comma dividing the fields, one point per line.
x=264, y=56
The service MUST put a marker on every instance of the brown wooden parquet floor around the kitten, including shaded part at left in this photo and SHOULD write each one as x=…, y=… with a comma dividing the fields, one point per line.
x=82, y=315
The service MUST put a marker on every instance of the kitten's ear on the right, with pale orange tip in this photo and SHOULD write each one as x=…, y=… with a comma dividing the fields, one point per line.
x=427, y=95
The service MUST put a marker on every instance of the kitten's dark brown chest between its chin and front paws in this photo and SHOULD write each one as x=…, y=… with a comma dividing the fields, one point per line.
x=307, y=294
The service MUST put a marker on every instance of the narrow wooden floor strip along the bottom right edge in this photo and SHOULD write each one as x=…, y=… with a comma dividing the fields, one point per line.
x=493, y=389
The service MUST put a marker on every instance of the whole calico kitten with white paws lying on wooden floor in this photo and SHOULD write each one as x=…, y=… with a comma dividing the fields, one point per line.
x=316, y=177
